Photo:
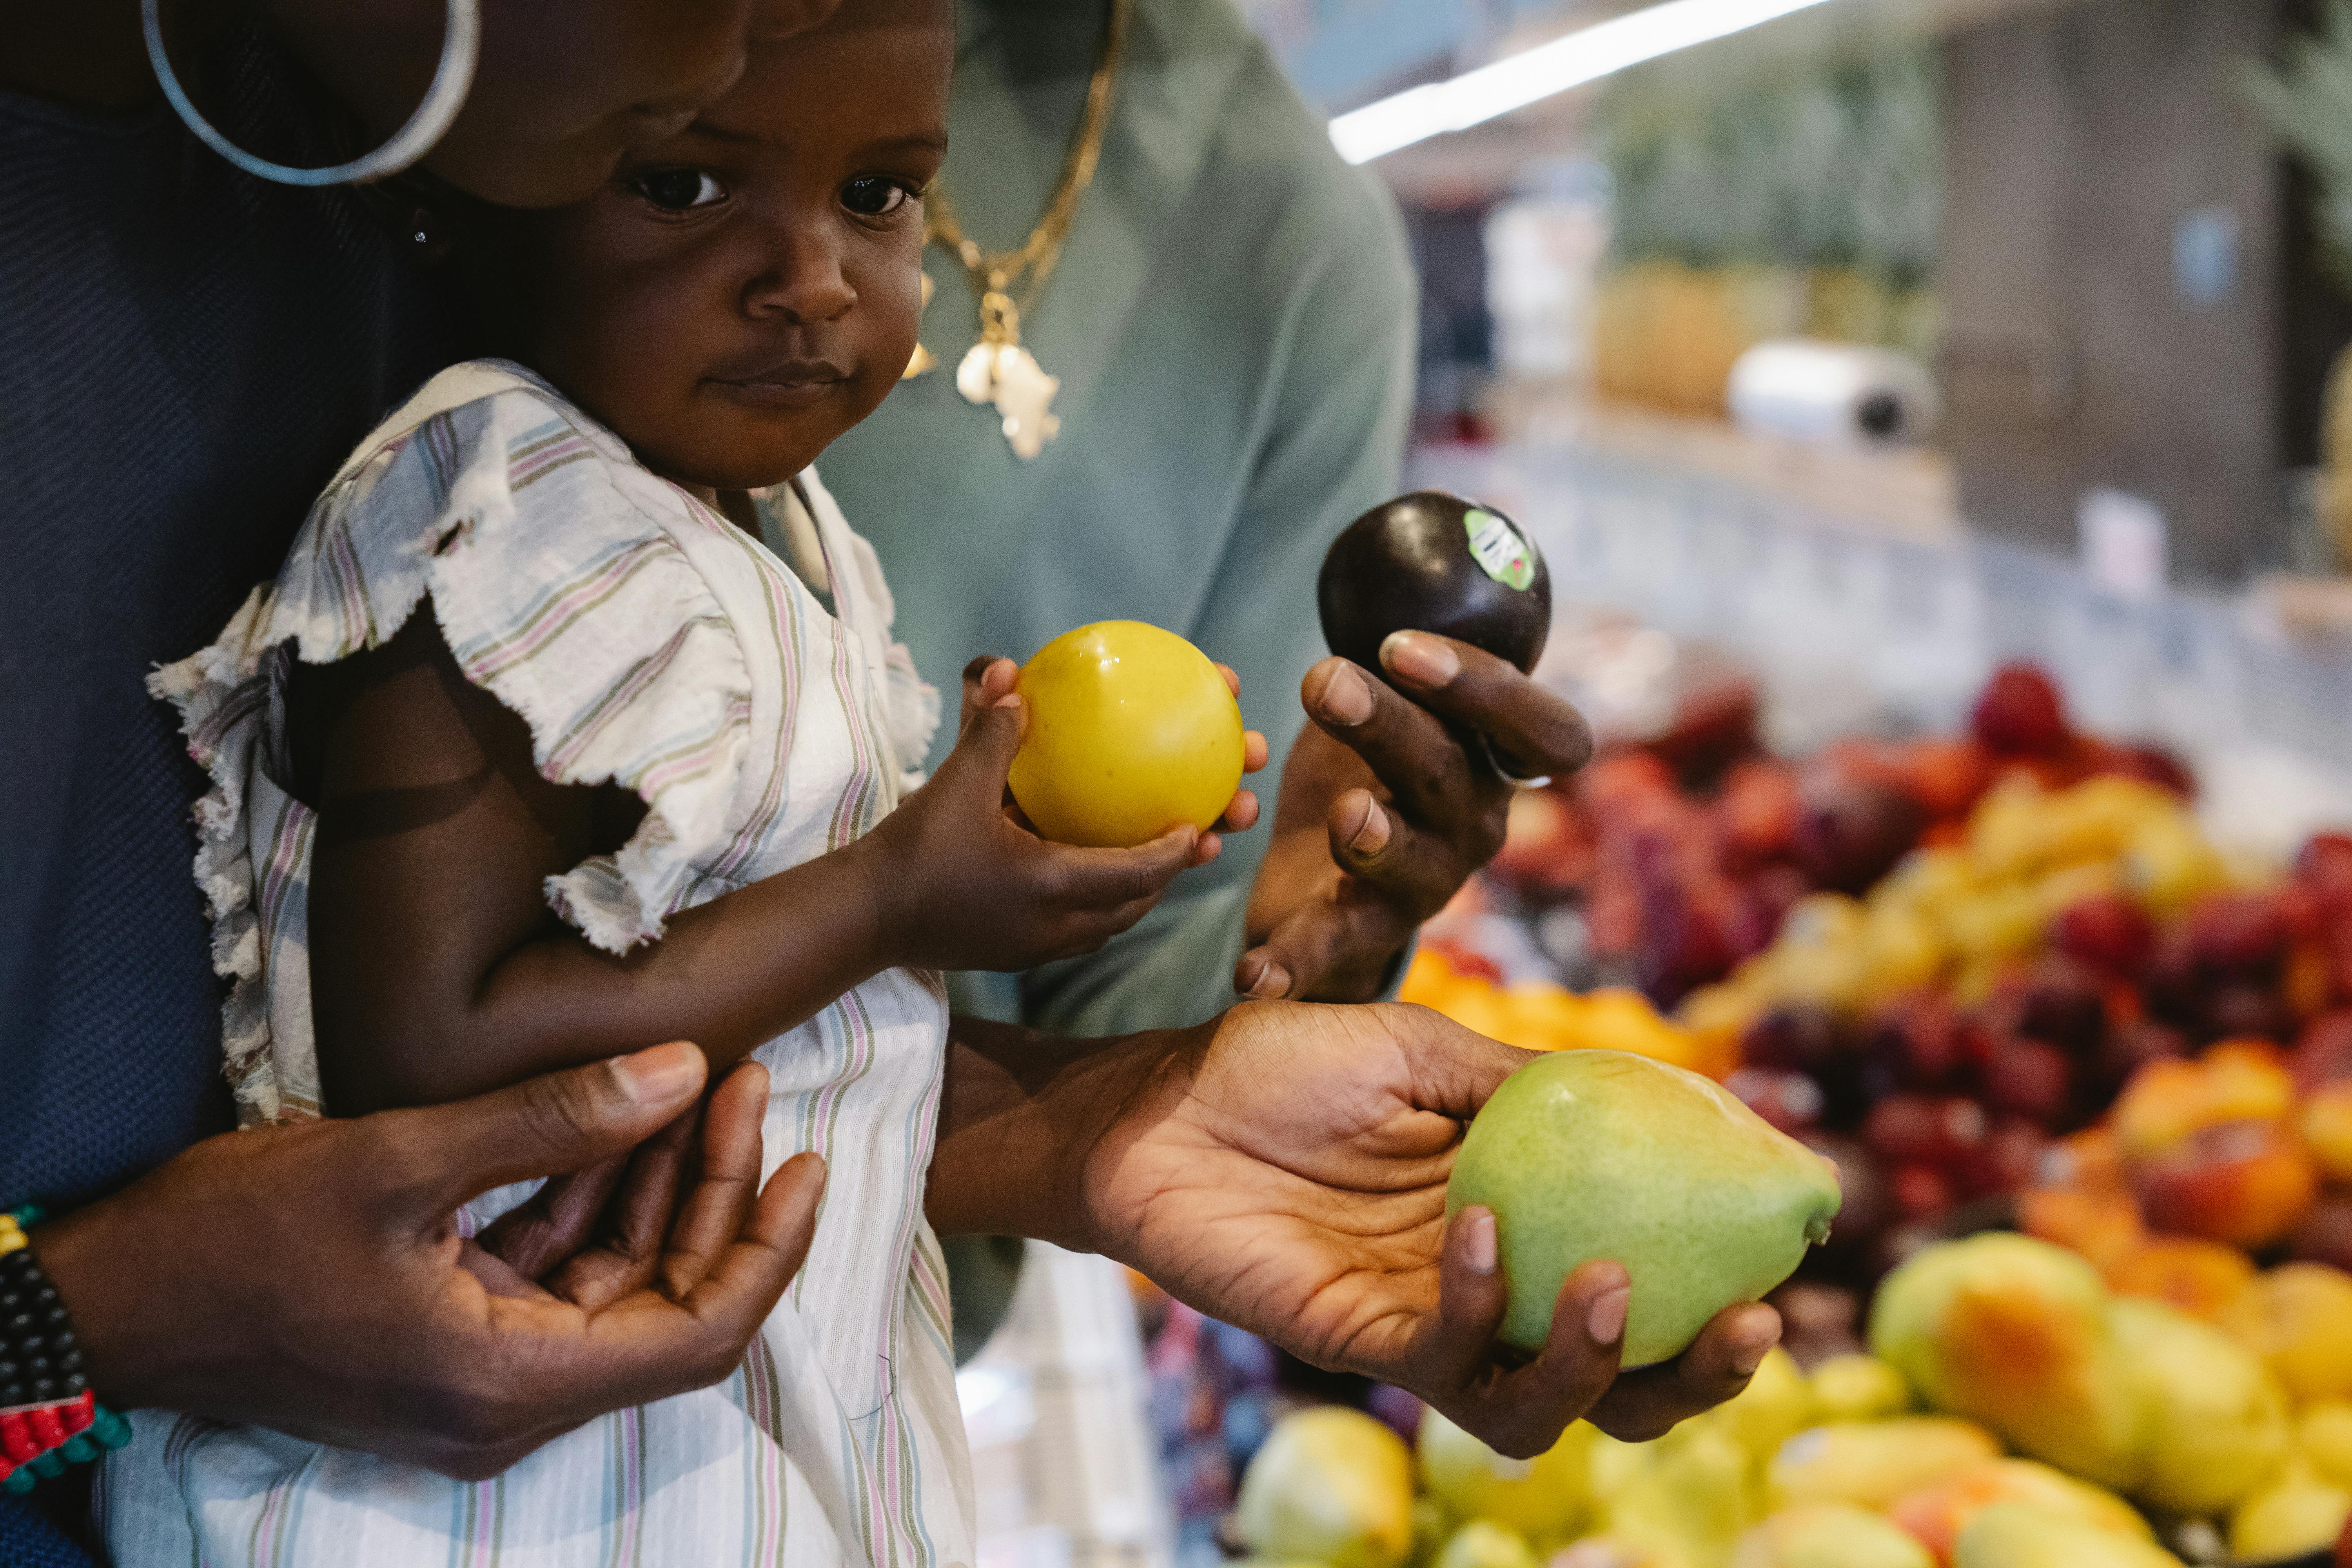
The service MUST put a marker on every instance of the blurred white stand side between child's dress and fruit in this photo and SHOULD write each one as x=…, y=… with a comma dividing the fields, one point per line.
x=1057, y=1414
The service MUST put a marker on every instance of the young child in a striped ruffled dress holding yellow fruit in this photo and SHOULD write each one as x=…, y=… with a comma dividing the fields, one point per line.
x=535, y=753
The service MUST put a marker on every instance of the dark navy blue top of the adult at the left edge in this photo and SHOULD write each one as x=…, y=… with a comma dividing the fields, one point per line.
x=185, y=359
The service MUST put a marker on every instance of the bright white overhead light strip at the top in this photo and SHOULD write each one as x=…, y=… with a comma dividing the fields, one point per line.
x=1537, y=74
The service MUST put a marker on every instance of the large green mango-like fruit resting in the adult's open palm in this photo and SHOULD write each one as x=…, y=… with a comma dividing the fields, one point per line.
x=1612, y=1155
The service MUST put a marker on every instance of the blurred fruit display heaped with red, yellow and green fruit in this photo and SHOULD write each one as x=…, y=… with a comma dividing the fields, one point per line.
x=2017, y=899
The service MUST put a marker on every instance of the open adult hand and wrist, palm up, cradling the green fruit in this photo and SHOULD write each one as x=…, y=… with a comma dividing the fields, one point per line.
x=1283, y=1170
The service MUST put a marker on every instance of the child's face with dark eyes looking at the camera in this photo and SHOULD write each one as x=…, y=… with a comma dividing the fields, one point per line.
x=749, y=290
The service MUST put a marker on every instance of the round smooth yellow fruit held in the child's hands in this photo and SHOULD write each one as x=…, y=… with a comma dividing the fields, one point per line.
x=1130, y=732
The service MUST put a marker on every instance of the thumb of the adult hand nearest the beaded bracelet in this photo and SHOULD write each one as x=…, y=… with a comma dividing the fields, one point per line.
x=552, y=1125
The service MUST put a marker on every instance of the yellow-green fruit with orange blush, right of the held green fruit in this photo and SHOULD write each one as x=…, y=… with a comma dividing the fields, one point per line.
x=2017, y=1334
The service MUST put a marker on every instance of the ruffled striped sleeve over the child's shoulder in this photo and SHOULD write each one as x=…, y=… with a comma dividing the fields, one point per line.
x=563, y=596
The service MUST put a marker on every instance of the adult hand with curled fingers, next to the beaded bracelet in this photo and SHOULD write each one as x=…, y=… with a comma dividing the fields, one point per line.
x=312, y=1278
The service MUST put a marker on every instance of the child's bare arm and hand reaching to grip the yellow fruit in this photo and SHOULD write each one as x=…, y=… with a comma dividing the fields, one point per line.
x=439, y=970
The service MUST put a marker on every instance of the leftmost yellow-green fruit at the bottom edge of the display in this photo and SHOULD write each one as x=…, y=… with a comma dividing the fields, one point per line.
x=1330, y=1487
